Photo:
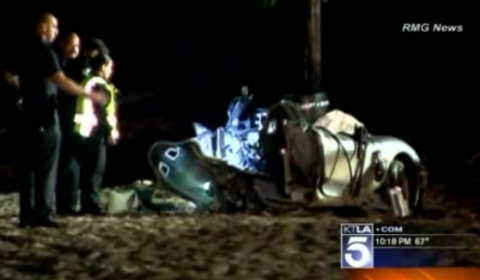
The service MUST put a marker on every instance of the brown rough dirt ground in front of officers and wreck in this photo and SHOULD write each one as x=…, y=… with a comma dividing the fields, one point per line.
x=295, y=246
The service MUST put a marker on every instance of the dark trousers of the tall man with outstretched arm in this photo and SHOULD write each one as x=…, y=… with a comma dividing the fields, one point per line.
x=37, y=149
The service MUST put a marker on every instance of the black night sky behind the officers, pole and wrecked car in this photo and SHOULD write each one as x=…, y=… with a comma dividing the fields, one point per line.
x=192, y=56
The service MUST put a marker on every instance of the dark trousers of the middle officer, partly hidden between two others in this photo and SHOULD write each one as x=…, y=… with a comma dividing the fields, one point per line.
x=68, y=172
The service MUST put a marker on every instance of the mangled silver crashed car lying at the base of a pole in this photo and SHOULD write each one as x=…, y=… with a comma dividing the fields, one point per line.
x=297, y=154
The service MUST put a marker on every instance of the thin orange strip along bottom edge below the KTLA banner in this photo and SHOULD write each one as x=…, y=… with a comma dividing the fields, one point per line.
x=414, y=274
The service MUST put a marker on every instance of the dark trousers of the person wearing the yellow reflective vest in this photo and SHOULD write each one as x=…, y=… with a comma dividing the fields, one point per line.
x=91, y=155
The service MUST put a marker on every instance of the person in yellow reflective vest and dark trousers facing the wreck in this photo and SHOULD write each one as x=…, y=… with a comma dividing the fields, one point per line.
x=95, y=127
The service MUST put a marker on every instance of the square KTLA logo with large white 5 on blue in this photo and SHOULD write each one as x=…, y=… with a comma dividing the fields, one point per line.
x=356, y=249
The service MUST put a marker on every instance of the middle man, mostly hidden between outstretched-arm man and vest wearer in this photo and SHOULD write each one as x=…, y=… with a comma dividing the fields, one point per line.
x=67, y=180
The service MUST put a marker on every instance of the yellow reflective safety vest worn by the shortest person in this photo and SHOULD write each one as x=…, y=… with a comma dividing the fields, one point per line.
x=85, y=118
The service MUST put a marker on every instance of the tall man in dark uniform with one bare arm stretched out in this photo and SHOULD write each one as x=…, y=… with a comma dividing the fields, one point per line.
x=35, y=69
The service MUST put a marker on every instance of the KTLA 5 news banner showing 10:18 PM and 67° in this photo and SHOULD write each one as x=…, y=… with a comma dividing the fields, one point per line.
x=395, y=246
